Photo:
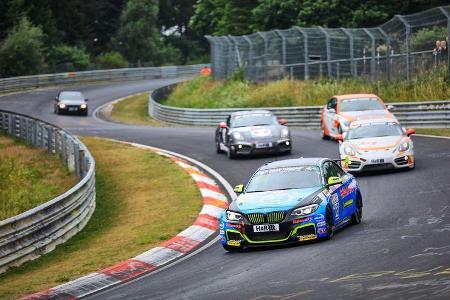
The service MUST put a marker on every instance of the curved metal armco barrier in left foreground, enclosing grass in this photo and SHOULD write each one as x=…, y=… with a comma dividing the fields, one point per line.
x=37, y=231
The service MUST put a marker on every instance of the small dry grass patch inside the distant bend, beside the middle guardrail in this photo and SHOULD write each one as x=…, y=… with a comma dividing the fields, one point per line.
x=134, y=110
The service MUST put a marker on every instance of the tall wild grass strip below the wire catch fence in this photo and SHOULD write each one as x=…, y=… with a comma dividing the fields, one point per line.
x=203, y=92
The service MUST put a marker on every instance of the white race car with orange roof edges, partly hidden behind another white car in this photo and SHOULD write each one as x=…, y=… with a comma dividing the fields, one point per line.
x=341, y=110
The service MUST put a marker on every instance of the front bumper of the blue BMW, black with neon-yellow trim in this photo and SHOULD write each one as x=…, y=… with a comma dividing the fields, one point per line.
x=241, y=234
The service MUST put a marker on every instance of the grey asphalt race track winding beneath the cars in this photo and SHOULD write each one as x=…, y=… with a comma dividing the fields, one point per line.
x=401, y=249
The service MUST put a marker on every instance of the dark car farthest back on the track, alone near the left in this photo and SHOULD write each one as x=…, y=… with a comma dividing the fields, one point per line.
x=71, y=102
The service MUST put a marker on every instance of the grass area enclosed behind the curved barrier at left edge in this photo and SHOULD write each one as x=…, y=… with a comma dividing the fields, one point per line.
x=29, y=177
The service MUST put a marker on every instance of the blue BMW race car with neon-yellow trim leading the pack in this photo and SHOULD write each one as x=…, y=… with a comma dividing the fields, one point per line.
x=291, y=201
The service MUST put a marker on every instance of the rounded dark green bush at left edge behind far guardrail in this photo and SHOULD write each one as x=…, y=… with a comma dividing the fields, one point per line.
x=22, y=52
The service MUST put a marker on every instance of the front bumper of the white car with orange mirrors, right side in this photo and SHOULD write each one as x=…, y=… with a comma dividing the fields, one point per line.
x=379, y=160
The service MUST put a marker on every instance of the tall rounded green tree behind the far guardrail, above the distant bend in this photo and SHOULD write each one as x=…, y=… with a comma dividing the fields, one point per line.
x=138, y=37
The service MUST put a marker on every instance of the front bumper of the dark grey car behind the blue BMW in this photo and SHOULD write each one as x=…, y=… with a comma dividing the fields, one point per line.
x=248, y=148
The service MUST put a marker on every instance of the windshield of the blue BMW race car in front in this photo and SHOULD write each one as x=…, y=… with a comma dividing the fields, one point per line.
x=285, y=178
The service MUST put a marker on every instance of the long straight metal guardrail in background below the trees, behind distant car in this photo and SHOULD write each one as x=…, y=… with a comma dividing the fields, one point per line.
x=37, y=81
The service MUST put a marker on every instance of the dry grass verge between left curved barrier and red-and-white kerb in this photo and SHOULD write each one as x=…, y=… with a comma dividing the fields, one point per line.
x=142, y=199
